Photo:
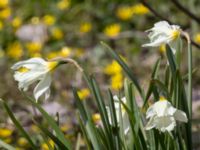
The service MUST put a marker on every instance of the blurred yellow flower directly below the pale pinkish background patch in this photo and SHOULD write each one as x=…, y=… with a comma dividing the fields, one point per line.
x=34, y=47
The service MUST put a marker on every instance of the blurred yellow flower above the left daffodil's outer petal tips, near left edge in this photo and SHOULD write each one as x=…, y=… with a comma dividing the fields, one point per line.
x=15, y=50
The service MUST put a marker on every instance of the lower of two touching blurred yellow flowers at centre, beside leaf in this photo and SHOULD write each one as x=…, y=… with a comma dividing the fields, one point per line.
x=117, y=81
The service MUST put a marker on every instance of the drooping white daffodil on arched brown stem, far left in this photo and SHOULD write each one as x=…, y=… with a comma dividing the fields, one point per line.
x=32, y=70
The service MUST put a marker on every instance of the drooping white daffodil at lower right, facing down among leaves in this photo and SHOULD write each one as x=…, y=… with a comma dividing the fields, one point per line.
x=163, y=116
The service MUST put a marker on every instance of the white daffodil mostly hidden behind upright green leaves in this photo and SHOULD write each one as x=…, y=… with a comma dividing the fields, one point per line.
x=119, y=113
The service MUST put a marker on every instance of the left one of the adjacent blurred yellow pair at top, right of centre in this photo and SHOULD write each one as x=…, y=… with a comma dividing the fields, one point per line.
x=124, y=13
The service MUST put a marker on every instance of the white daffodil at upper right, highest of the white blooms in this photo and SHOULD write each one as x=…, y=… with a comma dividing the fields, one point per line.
x=163, y=33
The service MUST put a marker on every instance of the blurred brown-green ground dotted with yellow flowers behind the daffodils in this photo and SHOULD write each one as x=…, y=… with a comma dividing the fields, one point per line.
x=74, y=28
